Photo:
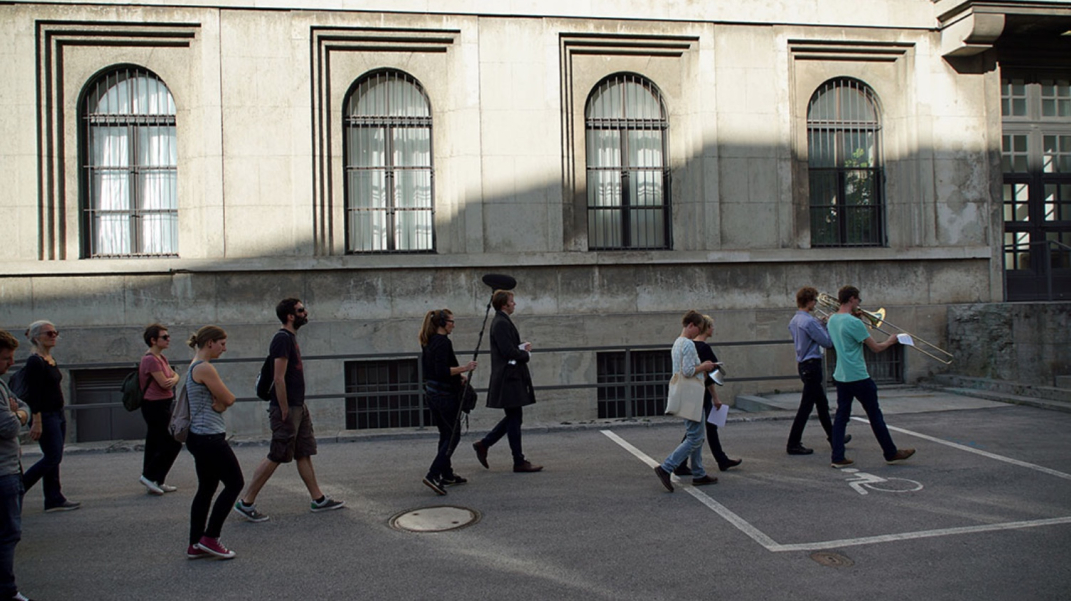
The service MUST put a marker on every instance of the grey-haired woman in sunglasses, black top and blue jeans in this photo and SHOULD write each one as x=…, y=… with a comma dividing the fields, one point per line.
x=46, y=398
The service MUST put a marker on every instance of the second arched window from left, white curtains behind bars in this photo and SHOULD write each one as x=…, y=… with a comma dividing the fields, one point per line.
x=388, y=162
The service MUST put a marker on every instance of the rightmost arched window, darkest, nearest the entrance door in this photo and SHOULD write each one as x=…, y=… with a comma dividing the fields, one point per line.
x=844, y=161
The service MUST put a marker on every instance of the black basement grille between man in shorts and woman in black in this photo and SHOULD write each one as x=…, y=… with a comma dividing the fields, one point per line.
x=389, y=396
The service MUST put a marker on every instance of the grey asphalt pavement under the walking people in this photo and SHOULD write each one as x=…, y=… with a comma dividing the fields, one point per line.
x=983, y=512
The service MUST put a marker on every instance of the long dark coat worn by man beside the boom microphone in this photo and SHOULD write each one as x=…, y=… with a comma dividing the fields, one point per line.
x=511, y=386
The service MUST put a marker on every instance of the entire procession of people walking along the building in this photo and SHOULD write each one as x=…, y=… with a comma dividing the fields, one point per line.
x=38, y=400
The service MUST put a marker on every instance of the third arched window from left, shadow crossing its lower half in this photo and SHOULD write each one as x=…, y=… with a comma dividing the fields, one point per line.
x=628, y=181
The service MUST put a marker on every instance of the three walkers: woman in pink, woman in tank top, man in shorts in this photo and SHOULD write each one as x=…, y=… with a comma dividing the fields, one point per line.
x=208, y=397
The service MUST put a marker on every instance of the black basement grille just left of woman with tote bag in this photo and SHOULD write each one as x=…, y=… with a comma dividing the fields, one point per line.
x=640, y=381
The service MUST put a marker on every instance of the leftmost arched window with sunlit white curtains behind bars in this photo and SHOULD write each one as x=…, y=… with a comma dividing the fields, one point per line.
x=130, y=178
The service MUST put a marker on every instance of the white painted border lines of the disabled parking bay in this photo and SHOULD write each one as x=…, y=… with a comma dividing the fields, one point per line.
x=771, y=545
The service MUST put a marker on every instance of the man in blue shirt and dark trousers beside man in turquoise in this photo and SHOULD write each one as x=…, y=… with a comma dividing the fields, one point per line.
x=810, y=337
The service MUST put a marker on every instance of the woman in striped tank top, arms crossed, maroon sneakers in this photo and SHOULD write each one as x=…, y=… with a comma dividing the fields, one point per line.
x=209, y=398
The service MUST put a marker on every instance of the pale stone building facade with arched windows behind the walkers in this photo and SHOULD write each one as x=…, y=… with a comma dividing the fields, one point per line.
x=624, y=161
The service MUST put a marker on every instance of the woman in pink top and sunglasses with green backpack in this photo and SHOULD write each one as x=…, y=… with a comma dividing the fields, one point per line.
x=158, y=383
